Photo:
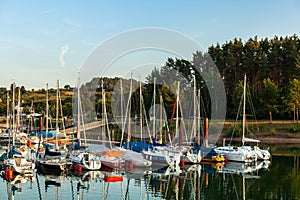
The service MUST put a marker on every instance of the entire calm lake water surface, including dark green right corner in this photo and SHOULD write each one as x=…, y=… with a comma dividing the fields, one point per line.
x=279, y=179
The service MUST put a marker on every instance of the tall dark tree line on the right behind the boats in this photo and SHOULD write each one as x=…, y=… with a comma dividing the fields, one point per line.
x=273, y=74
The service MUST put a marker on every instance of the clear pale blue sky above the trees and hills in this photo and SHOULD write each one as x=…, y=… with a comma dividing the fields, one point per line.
x=42, y=41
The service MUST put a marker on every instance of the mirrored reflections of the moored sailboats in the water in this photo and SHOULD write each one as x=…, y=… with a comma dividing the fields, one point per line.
x=198, y=181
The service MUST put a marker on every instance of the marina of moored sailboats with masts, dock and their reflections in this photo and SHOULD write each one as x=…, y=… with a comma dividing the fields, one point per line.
x=88, y=162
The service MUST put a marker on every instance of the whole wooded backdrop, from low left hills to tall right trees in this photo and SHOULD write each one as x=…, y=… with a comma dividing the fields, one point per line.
x=272, y=67
